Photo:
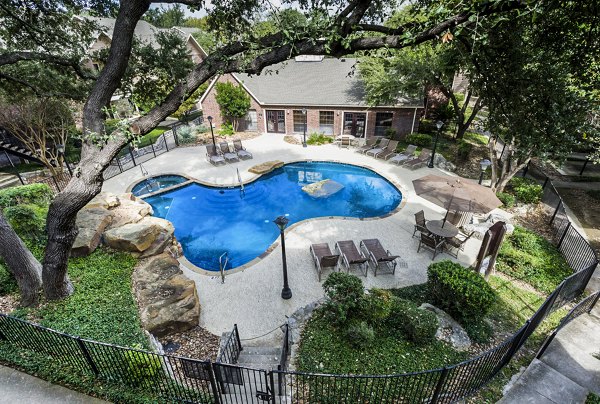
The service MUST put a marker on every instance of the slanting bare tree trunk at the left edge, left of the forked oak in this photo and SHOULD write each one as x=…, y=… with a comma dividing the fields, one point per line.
x=21, y=263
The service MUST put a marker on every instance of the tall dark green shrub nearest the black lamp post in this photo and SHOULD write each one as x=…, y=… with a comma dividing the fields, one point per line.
x=344, y=297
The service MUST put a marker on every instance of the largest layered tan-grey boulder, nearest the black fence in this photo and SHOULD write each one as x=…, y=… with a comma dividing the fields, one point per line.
x=167, y=299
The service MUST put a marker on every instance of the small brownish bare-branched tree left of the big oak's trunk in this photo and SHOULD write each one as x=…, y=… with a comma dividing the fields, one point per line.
x=41, y=125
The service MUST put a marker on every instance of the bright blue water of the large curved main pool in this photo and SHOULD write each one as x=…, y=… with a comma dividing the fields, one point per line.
x=210, y=221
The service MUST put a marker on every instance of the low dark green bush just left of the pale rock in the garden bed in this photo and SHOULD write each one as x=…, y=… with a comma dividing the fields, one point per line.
x=414, y=324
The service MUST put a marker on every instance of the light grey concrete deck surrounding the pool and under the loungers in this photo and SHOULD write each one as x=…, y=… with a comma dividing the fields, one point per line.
x=251, y=298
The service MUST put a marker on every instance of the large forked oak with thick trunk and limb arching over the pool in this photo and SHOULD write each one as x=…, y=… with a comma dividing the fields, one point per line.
x=346, y=31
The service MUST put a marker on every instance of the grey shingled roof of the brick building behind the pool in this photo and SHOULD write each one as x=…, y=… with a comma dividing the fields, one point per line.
x=326, y=82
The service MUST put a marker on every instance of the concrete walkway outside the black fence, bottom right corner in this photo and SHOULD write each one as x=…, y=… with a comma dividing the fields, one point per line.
x=568, y=369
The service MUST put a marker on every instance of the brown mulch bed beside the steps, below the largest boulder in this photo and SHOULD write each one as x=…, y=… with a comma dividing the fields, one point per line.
x=196, y=343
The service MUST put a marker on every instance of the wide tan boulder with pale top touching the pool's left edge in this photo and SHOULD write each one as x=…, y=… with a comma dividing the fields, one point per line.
x=149, y=234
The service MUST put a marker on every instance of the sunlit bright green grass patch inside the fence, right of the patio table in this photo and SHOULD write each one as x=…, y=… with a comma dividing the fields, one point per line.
x=531, y=258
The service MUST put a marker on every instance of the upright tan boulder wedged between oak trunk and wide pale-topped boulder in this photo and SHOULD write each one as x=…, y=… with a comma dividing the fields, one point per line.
x=91, y=223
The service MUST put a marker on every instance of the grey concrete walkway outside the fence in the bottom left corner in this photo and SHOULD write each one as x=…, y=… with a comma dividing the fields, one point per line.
x=18, y=387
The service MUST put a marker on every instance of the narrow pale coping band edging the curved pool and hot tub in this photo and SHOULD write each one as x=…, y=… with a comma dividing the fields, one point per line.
x=189, y=265
